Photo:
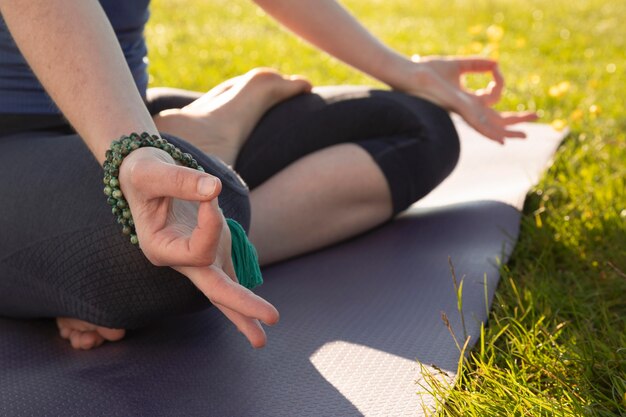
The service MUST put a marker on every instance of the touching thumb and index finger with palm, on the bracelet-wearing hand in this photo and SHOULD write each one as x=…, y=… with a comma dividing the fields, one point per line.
x=151, y=177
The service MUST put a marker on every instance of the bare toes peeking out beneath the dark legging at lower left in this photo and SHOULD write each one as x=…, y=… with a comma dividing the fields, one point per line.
x=85, y=336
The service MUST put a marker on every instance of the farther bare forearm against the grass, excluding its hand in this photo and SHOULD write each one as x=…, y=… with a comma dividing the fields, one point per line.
x=331, y=28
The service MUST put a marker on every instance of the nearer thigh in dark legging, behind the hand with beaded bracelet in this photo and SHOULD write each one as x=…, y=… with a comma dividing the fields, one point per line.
x=61, y=251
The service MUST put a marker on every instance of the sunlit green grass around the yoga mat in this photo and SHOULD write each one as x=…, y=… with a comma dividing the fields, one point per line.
x=556, y=339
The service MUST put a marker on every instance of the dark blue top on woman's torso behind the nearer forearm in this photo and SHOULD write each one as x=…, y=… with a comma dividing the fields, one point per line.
x=21, y=92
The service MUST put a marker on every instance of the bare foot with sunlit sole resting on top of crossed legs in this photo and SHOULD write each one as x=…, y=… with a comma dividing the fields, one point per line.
x=220, y=121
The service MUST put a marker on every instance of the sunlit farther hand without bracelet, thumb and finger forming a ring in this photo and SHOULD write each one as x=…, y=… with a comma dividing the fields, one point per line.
x=439, y=79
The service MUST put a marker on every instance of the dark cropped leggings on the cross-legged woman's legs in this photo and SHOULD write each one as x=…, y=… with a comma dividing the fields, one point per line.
x=62, y=253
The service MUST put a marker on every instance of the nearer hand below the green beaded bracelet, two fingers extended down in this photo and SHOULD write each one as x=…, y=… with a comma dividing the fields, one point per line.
x=179, y=224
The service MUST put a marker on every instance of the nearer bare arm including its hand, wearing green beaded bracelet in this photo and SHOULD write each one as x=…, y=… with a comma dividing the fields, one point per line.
x=72, y=49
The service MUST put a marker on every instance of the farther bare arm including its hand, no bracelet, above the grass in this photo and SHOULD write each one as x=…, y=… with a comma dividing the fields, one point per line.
x=331, y=28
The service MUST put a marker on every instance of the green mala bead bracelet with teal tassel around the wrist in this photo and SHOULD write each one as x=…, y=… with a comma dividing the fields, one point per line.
x=243, y=253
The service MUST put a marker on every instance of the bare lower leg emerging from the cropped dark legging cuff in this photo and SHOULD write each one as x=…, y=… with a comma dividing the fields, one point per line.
x=325, y=197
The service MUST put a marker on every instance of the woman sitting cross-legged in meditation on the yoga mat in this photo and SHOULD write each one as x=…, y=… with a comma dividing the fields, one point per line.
x=62, y=254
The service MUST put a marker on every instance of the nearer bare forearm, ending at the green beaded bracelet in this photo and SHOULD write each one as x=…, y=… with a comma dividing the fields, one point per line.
x=72, y=49
